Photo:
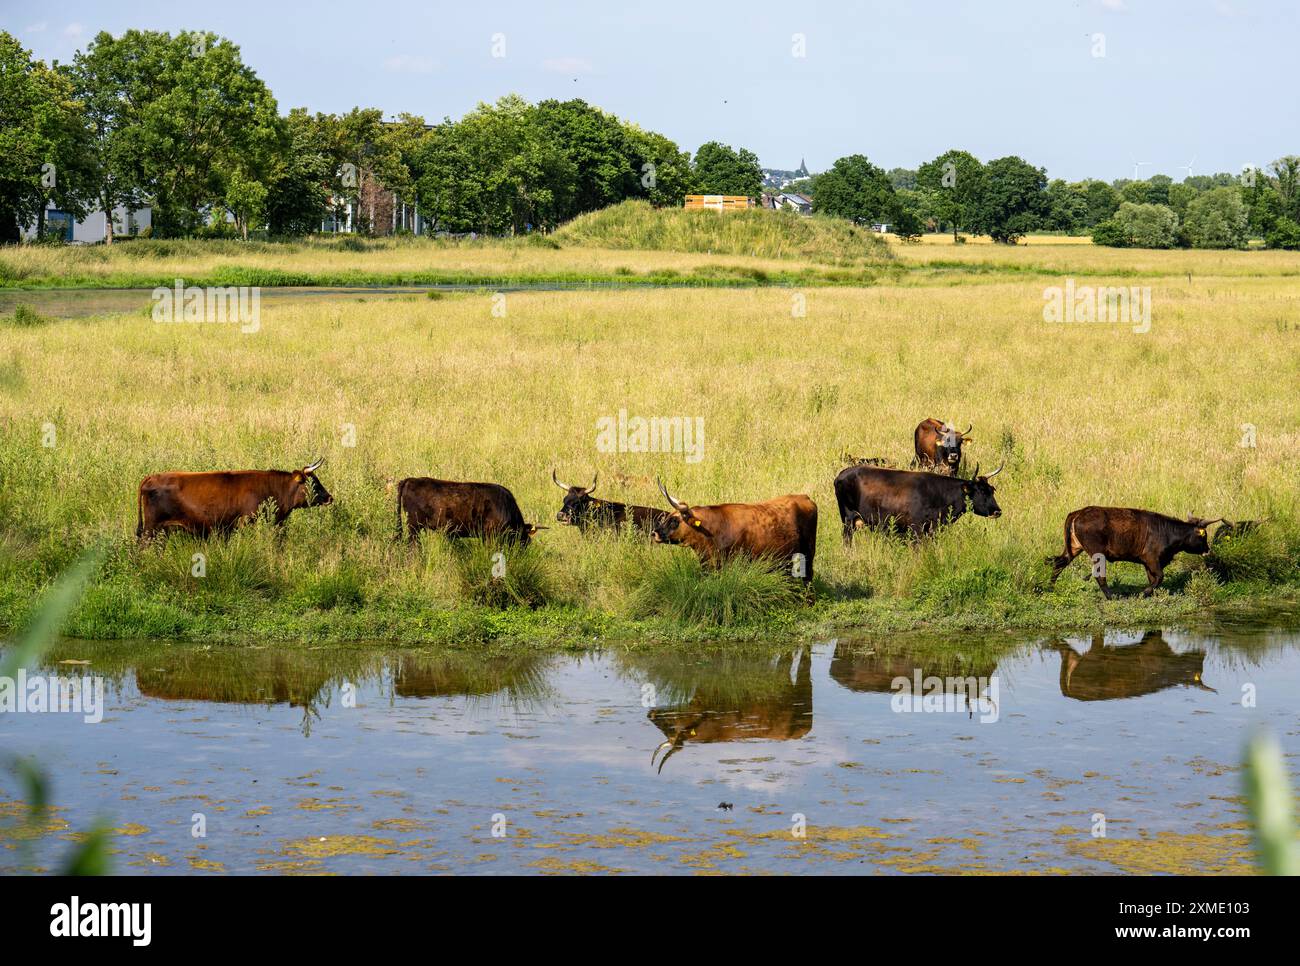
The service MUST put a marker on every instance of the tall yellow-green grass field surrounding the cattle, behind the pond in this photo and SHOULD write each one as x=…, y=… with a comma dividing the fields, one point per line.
x=1081, y=414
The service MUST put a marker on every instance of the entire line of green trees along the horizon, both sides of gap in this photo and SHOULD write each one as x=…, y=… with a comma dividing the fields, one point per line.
x=180, y=124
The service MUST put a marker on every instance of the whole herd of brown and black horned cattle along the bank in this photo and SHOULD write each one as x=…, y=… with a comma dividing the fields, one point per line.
x=870, y=495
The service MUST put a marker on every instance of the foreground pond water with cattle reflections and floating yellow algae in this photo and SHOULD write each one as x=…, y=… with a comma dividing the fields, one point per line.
x=370, y=760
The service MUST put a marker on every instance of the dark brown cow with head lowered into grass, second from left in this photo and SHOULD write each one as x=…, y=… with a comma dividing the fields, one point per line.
x=461, y=510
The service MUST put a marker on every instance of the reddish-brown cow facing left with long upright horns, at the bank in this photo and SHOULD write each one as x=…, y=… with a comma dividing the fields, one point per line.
x=777, y=530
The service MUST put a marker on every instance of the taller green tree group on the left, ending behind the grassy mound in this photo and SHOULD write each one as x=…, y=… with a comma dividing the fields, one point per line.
x=179, y=123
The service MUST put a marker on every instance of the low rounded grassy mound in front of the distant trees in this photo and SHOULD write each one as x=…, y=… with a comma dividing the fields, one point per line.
x=759, y=232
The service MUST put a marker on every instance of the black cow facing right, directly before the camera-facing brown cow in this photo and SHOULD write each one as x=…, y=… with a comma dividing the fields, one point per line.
x=908, y=503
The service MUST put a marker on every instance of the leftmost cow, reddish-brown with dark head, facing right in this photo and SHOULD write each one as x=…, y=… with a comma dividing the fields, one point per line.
x=205, y=504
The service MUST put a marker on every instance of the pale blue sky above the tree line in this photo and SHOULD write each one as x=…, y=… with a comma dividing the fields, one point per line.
x=1210, y=83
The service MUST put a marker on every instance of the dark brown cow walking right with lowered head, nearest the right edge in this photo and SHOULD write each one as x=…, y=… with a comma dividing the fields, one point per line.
x=1134, y=536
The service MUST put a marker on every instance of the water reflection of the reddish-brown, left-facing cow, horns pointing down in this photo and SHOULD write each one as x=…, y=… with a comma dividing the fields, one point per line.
x=777, y=709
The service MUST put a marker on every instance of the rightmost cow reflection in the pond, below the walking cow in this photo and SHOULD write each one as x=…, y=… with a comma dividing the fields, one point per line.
x=1128, y=672
